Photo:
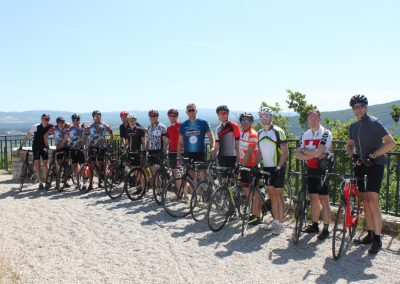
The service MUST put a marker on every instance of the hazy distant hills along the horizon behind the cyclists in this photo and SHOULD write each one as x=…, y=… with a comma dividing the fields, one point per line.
x=19, y=122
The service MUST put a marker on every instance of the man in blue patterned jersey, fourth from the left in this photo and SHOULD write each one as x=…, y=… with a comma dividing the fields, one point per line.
x=96, y=133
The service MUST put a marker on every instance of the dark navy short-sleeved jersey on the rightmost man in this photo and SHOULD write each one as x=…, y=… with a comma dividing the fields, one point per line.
x=367, y=134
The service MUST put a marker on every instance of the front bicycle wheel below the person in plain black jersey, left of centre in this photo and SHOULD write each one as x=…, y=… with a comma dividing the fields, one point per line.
x=135, y=184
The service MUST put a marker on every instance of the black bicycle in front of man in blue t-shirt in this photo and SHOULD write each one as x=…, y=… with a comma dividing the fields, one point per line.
x=177, y=192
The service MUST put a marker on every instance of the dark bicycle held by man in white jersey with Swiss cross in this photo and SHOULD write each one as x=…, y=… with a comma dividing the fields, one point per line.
x=302, y=202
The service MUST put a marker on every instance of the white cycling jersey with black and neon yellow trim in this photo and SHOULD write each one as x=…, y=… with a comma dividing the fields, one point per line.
x=269, y=143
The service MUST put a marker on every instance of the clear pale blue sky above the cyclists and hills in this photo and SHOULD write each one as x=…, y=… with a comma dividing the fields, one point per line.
x=79, y=55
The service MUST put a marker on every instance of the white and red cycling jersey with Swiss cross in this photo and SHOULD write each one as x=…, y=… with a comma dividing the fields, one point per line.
x=311, y=141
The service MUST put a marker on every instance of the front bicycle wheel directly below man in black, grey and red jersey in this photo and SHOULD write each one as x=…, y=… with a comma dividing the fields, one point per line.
x=219, y=209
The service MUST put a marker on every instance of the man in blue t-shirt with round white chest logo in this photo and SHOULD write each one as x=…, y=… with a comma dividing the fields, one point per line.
x=192, y=132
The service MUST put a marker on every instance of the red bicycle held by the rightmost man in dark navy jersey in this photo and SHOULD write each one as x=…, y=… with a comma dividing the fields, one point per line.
x=348, y=214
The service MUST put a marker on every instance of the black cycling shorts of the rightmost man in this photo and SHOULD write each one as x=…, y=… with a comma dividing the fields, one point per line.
x=374, y=177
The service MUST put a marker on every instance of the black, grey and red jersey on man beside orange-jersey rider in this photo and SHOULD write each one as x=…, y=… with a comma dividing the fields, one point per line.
x=226, y=136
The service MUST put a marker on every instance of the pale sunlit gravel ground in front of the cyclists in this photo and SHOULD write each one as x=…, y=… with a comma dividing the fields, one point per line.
x=72, y=238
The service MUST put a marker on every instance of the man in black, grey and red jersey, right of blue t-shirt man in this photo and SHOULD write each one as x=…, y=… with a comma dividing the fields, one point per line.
x=227, y=139
